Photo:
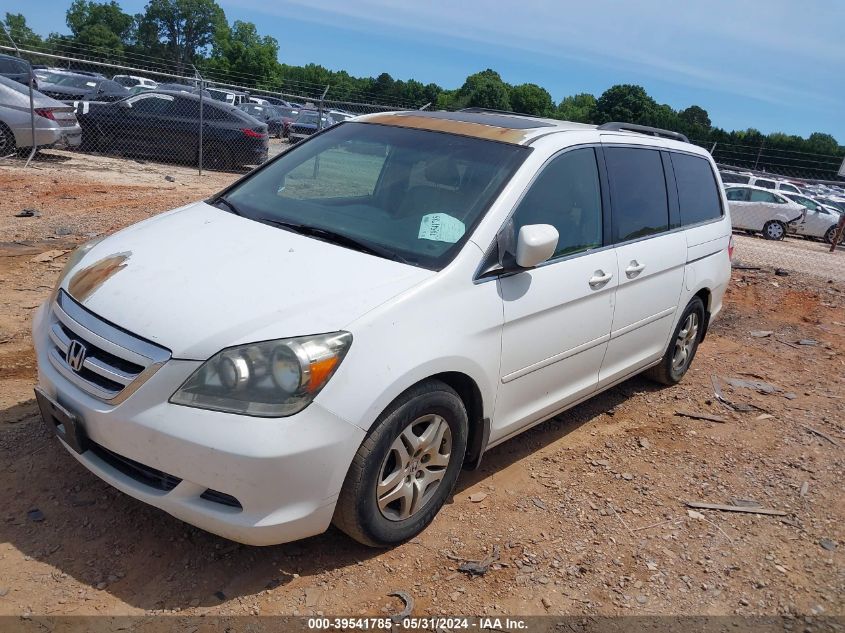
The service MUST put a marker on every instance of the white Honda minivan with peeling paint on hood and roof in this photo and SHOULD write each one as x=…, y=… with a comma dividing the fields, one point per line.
x=334, y=336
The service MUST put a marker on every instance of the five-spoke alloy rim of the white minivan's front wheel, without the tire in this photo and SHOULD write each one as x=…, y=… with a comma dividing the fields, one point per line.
x=414, y=467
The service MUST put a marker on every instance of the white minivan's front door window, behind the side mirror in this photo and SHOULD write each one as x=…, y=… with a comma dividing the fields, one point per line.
x=566, y=195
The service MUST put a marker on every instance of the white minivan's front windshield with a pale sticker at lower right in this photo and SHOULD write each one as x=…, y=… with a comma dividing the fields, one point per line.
x=412, y=195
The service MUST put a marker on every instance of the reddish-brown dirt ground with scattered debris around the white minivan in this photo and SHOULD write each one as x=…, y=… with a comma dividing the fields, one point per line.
x=587, y=511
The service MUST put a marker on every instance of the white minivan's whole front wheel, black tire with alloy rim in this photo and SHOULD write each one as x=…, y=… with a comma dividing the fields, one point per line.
x=400, y=510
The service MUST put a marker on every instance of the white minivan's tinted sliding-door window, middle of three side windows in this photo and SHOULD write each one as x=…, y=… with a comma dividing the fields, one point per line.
x=637, y=192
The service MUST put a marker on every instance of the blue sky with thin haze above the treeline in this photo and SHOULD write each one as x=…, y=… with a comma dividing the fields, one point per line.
x=776, y=65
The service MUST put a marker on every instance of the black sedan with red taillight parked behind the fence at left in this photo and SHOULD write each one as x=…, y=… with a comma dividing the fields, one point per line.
x=165, y=125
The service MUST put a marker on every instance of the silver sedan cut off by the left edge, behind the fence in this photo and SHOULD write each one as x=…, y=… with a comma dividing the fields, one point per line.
x=55, y=122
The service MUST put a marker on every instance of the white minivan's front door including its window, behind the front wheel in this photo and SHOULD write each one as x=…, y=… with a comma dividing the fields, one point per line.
x=557, y=317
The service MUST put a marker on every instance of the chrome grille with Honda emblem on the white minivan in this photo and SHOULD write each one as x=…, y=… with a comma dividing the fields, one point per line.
x=115, y=363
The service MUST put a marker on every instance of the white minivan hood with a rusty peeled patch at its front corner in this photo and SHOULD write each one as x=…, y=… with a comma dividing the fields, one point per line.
x=199, y=279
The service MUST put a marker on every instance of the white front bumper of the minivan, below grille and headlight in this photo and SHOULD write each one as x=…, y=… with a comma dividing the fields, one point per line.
x=286, y=473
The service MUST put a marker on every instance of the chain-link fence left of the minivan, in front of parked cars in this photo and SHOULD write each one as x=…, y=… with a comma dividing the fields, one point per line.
x=89, y=106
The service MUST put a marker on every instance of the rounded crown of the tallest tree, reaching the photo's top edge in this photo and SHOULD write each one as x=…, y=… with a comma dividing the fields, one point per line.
x=186, y=27
